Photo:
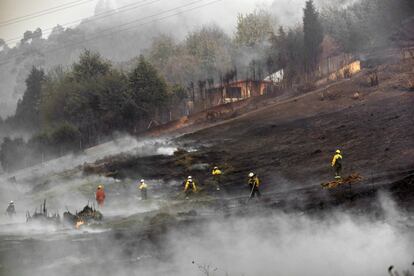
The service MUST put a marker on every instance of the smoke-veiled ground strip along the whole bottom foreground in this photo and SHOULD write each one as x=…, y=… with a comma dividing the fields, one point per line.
x=261, y=242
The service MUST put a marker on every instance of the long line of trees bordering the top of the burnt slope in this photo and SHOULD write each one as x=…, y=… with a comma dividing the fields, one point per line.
x=68, y=109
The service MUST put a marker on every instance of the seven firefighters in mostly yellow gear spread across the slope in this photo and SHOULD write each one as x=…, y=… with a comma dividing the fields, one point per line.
x=190, y=185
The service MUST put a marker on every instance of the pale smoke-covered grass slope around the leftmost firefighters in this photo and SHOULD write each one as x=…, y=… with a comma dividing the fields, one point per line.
x=64, y=186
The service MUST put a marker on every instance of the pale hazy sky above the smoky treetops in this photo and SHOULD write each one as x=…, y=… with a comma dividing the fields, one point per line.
x=223, y=13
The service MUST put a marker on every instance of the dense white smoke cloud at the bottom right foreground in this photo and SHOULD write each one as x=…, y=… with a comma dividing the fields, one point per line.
x=293, y=244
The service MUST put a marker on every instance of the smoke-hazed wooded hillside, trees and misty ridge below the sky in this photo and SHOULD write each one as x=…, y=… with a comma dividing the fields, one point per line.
x=69, y=98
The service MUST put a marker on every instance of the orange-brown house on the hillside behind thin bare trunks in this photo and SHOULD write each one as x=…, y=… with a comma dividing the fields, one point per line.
x=239, y=90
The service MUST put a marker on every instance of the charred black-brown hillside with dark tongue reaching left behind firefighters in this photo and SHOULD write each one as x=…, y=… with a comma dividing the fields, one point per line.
x=289, y=141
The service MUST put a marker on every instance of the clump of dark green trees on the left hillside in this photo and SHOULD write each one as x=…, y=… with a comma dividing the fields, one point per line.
x=69, y=110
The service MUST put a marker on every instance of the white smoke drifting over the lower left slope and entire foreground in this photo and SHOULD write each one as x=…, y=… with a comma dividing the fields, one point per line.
x=264, y=242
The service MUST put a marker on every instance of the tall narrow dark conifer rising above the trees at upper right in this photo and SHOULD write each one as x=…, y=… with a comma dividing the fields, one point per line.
x=313, y=36
